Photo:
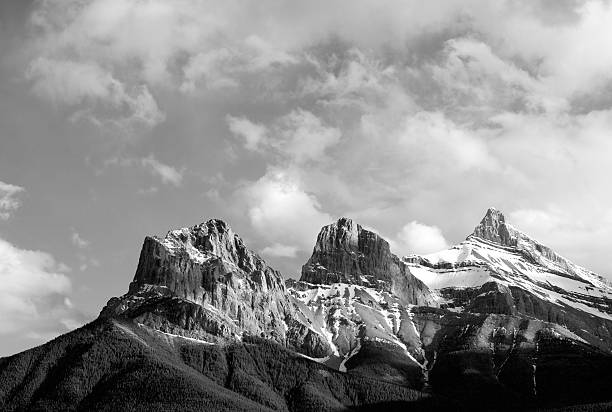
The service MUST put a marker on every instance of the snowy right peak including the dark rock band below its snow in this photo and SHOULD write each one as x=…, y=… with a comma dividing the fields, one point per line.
x=498, y=269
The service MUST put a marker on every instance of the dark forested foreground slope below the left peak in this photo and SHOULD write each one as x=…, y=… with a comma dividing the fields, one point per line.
x=111, y=365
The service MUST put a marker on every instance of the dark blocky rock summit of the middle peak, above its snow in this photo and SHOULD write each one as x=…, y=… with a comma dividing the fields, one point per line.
x=345, y=252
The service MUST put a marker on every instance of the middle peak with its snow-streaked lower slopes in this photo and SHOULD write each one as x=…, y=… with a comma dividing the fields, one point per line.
x=358, y=294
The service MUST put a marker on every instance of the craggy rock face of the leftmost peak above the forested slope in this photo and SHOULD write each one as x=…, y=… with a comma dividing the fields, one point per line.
x=203, y=282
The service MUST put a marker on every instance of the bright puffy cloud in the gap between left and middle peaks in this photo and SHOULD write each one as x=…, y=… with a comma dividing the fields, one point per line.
x=281, y=212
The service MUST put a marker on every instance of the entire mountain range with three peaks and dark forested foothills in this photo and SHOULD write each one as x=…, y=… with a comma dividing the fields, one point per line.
x=497, y=322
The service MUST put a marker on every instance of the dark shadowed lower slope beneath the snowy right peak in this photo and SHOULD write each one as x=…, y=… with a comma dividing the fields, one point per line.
x=496, y=356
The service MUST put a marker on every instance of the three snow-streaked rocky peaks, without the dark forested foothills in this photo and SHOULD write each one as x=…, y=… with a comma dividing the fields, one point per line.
x=359, y=308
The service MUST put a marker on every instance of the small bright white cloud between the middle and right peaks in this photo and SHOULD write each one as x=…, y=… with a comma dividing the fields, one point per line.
x=418, y=238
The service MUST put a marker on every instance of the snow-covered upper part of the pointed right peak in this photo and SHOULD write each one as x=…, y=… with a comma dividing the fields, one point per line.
x=498, y=252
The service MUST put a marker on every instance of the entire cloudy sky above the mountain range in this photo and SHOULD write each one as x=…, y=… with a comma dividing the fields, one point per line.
x=124, y=118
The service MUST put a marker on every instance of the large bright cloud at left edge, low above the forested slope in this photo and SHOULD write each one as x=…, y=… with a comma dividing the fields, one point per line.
x=33, y=292
